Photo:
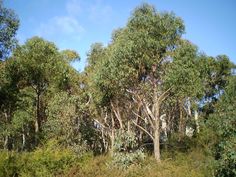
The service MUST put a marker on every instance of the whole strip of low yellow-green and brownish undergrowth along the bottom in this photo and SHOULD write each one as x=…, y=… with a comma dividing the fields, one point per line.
x=52, y=161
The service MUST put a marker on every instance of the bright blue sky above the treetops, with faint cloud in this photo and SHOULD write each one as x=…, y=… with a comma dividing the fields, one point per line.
x=76, y=24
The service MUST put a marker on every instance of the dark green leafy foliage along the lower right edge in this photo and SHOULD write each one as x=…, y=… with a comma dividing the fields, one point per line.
x=223, y=123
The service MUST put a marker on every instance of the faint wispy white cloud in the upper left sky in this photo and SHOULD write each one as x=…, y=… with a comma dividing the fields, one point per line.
x=66, y=30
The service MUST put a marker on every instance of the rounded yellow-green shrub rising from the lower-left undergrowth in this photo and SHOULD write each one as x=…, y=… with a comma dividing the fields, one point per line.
x=48, y=161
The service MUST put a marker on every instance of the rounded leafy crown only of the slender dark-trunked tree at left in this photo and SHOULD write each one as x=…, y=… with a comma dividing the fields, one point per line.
x=38, y=61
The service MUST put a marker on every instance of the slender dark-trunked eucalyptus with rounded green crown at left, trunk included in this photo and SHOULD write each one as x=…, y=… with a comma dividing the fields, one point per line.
x=38, y=62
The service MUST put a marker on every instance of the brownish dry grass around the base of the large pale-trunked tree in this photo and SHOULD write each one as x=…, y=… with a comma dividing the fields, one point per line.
x=194, y=164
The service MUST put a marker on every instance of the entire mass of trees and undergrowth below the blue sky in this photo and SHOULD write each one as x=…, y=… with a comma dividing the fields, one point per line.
x=147, y=104
